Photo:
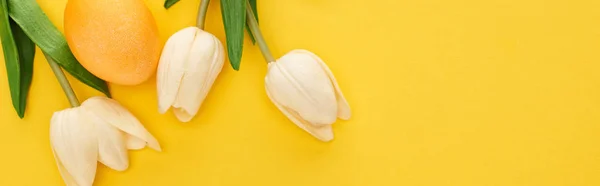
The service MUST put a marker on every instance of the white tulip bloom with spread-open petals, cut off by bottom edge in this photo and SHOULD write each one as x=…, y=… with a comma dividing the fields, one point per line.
x=98, y=130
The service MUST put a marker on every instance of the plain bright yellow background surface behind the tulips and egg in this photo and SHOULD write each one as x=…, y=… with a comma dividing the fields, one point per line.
x=444, y=93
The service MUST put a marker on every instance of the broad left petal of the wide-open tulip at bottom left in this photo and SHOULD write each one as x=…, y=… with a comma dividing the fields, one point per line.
x=75, y=146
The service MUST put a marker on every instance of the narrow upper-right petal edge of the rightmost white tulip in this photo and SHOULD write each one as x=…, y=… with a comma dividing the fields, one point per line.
x=343, y=106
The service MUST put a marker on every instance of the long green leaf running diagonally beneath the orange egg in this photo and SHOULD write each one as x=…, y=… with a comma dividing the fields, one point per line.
x=30, y=17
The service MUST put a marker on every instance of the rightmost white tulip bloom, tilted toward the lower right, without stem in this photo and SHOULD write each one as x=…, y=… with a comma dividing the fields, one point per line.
x=304, y=89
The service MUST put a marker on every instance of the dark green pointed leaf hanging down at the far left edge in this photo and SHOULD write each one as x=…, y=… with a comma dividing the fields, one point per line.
x=19, y=51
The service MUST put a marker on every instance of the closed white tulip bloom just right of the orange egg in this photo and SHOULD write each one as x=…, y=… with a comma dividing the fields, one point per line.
x=191, y=61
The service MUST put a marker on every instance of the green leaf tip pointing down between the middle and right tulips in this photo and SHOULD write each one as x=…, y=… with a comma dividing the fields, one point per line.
x=234, y=20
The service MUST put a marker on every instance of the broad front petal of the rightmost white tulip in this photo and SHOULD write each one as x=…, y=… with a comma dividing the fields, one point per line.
x=296, y=81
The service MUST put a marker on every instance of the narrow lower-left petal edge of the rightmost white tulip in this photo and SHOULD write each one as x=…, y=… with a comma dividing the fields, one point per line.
x=323, y=133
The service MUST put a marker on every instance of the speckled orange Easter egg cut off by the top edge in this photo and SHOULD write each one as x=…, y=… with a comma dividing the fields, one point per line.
x=116, y=40
